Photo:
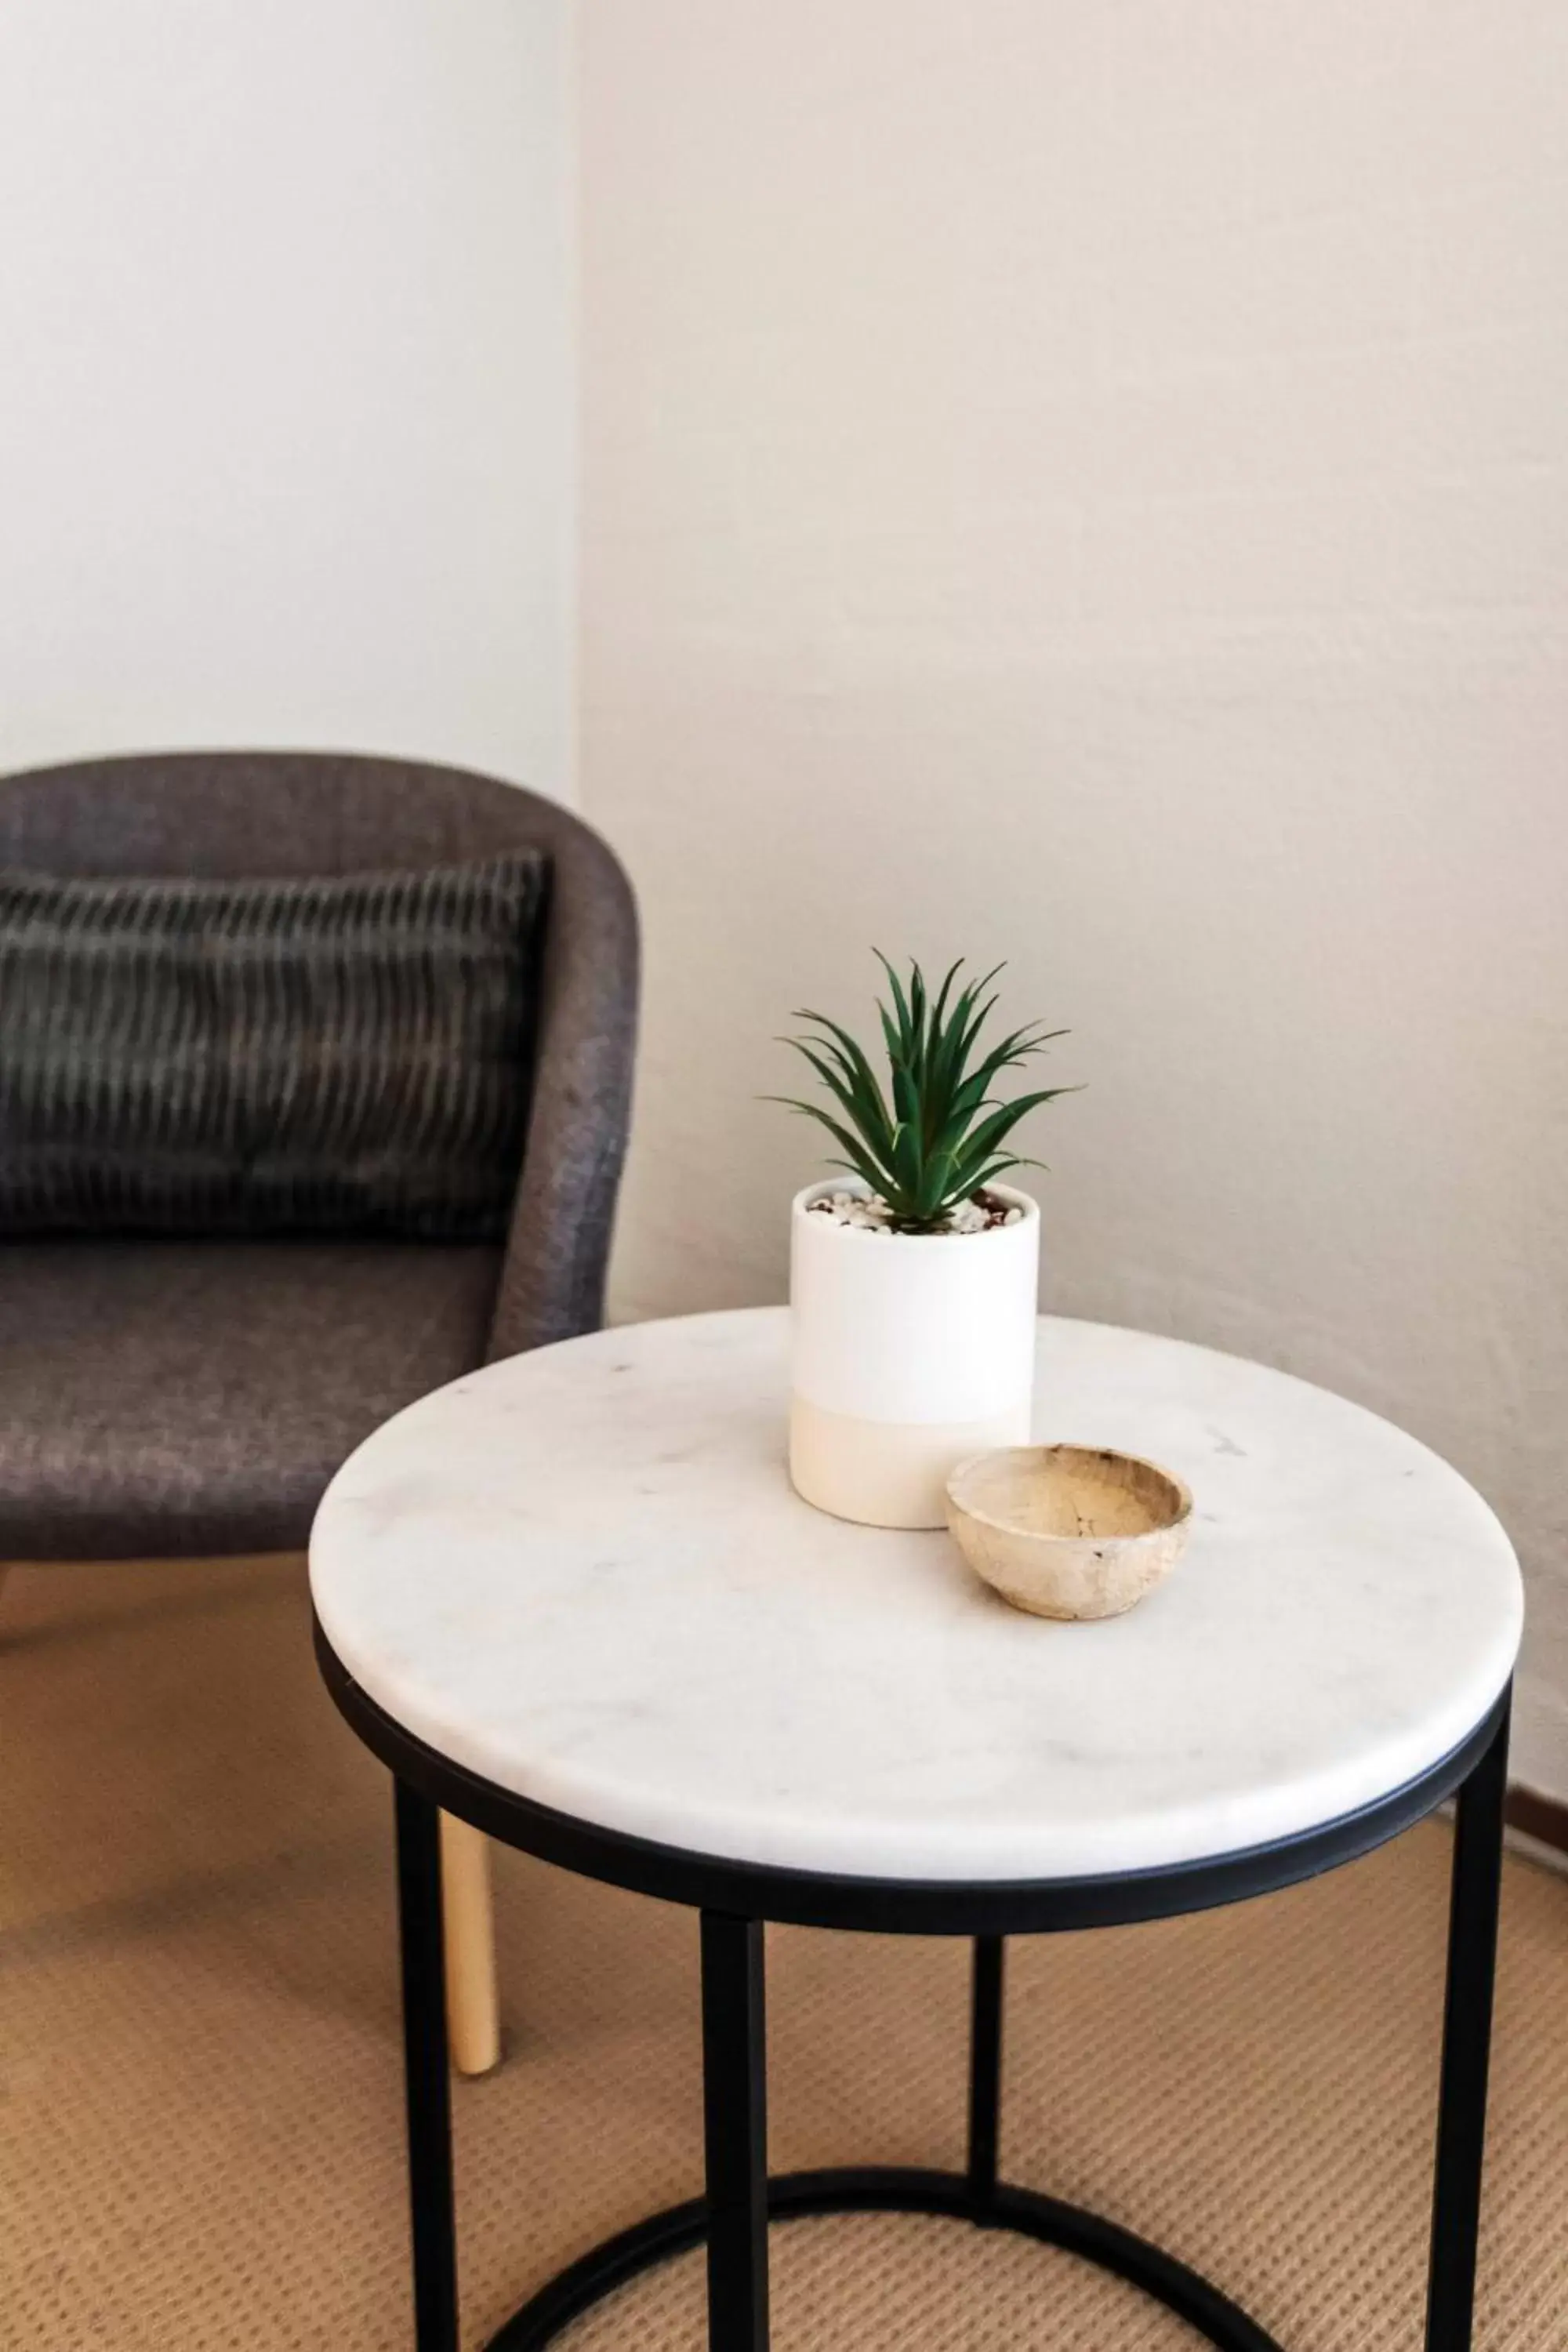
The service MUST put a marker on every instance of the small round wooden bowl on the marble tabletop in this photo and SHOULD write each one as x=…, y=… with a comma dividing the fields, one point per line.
x=1068, y=1532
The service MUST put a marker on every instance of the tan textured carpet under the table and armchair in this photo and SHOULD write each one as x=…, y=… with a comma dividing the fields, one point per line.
x=199, y=2047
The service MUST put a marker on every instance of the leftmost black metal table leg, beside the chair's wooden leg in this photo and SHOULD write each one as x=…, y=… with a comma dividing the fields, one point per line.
x=427, y=2083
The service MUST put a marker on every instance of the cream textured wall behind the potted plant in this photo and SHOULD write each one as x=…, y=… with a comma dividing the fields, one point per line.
x=1090, y=483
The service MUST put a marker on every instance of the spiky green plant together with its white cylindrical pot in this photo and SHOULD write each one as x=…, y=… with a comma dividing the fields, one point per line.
x=913, y=1281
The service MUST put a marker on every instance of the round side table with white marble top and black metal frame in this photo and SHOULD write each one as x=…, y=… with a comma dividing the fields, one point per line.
x=575, y=1603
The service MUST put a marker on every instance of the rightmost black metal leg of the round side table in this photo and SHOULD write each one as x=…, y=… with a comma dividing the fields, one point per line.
x=1468, y=2033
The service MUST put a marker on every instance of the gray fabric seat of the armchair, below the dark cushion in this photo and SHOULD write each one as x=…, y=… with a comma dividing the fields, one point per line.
x=185, y=1398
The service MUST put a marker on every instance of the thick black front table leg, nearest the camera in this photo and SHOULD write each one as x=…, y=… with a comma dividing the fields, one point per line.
x=737, y=2134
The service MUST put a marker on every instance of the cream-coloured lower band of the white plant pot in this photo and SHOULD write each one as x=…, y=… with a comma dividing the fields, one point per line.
x=890, y=1474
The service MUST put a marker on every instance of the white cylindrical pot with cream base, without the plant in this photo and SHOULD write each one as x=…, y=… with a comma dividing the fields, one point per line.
x=911, y=1351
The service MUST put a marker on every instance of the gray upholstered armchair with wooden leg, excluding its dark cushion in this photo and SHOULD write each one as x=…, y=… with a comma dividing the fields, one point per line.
x=194, y=1398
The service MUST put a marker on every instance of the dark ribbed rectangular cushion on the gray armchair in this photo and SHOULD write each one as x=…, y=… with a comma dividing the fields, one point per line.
x=267, y=1057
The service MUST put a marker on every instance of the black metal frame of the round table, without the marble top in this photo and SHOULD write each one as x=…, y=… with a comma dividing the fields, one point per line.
x=737, y=1899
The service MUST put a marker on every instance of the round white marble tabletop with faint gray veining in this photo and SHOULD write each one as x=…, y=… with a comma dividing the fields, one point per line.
x=584, y=1575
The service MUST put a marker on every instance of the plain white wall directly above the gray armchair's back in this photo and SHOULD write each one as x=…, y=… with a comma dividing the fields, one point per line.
x=286, y=380
